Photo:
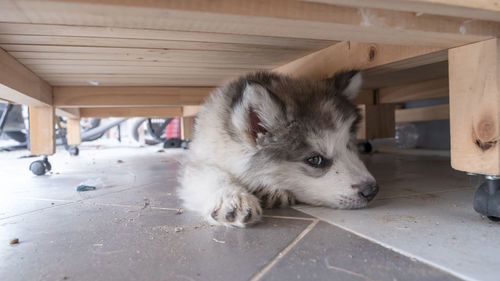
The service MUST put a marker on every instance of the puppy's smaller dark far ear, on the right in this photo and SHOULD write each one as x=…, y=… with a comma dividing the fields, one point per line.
x=346, y=83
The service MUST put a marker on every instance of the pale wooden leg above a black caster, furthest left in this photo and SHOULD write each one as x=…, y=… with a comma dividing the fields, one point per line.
x=42, y=130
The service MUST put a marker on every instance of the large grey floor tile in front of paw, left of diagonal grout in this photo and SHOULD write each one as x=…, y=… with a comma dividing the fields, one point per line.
x=82, y=242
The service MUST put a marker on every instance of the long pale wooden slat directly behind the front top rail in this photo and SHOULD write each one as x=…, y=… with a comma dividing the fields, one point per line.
x=156, y=34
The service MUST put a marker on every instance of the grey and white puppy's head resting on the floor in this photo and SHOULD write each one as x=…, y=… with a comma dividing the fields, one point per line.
x=299, y=135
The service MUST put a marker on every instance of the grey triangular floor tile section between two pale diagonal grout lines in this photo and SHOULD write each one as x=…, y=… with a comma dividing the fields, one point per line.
x=330, y=253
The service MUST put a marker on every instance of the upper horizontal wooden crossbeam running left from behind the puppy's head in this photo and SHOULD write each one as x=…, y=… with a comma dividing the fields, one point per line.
x=129, y=96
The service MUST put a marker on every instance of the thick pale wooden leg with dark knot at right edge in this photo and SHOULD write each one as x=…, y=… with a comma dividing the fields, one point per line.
x=475, y=107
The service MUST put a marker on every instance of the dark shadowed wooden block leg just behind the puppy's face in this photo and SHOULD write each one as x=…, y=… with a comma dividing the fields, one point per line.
x=377, y=121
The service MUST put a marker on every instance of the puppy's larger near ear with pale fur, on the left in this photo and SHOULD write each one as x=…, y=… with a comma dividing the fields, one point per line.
x=258, y=112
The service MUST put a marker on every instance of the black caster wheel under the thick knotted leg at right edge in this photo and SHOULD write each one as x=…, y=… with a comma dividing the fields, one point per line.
x=487, y=198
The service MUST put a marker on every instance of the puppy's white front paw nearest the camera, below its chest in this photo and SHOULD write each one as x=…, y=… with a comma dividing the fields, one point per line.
x=237, y=209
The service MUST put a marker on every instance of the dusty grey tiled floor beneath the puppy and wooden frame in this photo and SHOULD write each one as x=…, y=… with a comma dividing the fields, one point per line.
x=130, y=228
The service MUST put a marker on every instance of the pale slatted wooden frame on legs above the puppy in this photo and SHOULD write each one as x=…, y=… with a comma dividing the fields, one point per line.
x=161, y=58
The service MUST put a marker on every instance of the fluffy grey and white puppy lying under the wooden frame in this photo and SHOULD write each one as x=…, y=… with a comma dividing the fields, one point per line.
x=267, y=140
